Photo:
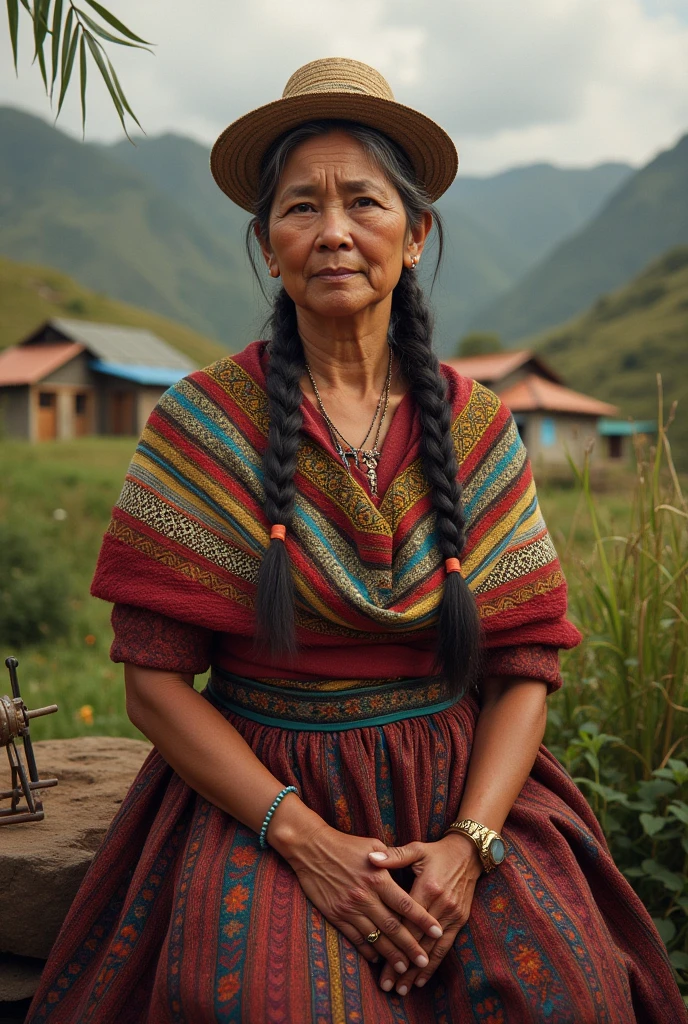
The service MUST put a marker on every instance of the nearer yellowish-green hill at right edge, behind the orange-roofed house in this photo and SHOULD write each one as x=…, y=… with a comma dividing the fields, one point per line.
x=616, y=351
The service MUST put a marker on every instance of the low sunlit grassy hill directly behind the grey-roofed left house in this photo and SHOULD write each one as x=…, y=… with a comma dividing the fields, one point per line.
x=30, y=295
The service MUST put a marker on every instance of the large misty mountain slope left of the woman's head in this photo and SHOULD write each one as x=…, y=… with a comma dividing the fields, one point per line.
x=71, y=206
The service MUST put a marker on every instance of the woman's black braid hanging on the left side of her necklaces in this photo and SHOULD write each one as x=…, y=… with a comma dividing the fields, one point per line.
x=275, y=601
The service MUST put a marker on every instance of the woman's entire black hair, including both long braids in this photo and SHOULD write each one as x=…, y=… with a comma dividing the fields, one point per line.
x=411, y=338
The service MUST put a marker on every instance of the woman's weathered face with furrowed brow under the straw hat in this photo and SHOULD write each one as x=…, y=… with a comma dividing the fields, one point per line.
x=338, y=231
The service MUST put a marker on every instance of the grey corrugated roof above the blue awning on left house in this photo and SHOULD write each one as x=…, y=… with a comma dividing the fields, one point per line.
x=113, y=344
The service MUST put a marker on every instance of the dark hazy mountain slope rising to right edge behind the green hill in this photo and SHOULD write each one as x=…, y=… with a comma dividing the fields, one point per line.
x=648, y=217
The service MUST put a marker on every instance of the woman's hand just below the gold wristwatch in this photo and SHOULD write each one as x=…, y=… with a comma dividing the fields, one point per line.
x=446, y=876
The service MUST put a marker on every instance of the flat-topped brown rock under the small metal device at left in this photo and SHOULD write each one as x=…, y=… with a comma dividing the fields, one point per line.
x=42, y=863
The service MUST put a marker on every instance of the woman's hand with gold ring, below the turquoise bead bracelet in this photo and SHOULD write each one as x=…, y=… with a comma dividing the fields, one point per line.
x=355, y=895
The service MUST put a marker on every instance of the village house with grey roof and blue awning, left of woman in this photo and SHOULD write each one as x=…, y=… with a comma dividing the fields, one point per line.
x=72, y=378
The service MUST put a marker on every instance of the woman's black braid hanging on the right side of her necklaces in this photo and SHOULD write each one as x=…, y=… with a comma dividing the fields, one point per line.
x=459, y=626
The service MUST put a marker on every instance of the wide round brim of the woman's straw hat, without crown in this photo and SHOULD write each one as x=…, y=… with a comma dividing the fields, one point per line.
x=236, y=157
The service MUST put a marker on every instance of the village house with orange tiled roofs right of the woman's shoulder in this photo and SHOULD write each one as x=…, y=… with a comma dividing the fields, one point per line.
x=554, y=421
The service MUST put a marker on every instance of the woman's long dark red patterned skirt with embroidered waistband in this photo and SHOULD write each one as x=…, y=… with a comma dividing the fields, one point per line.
x=183, y=918
